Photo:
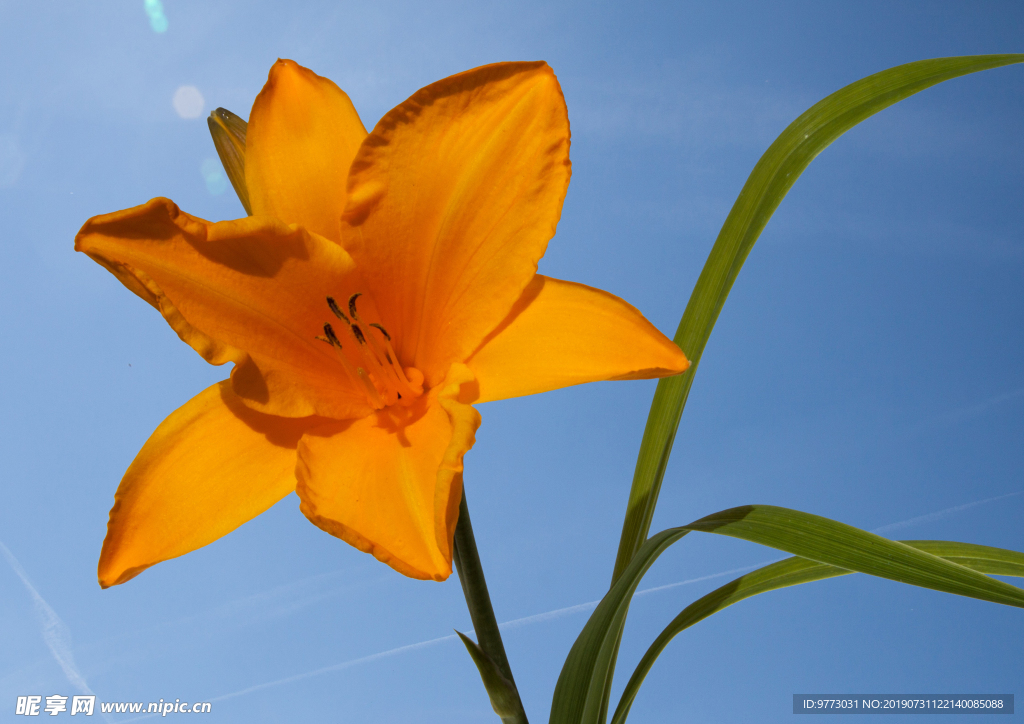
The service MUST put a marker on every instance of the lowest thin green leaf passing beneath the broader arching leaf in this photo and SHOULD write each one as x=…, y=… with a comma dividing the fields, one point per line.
x=793, y=572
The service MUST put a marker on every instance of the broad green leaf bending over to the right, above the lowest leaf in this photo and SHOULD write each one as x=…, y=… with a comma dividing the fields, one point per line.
x=584, y=685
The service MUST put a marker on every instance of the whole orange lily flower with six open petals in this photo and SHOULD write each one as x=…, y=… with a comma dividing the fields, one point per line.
x=383, y=284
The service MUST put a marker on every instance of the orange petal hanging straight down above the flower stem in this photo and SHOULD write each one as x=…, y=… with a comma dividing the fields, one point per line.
x=391, y=484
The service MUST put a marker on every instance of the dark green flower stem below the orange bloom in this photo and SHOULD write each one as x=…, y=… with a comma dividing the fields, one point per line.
x=467, y=563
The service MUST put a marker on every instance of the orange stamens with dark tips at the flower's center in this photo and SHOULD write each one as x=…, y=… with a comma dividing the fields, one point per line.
x=370, y=360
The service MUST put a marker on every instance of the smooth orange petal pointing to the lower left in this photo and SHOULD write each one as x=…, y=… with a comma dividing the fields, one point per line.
x=184, y=492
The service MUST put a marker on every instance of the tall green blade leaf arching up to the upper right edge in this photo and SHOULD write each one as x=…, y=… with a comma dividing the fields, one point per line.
x=767, y=186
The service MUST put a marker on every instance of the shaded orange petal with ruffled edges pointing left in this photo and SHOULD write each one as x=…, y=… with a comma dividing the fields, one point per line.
x=252, y=285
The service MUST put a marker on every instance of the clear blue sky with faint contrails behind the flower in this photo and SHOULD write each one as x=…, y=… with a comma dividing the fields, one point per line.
x=867, y=367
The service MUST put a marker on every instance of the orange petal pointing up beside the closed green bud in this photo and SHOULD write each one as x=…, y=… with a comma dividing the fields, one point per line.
x=304, y=135
